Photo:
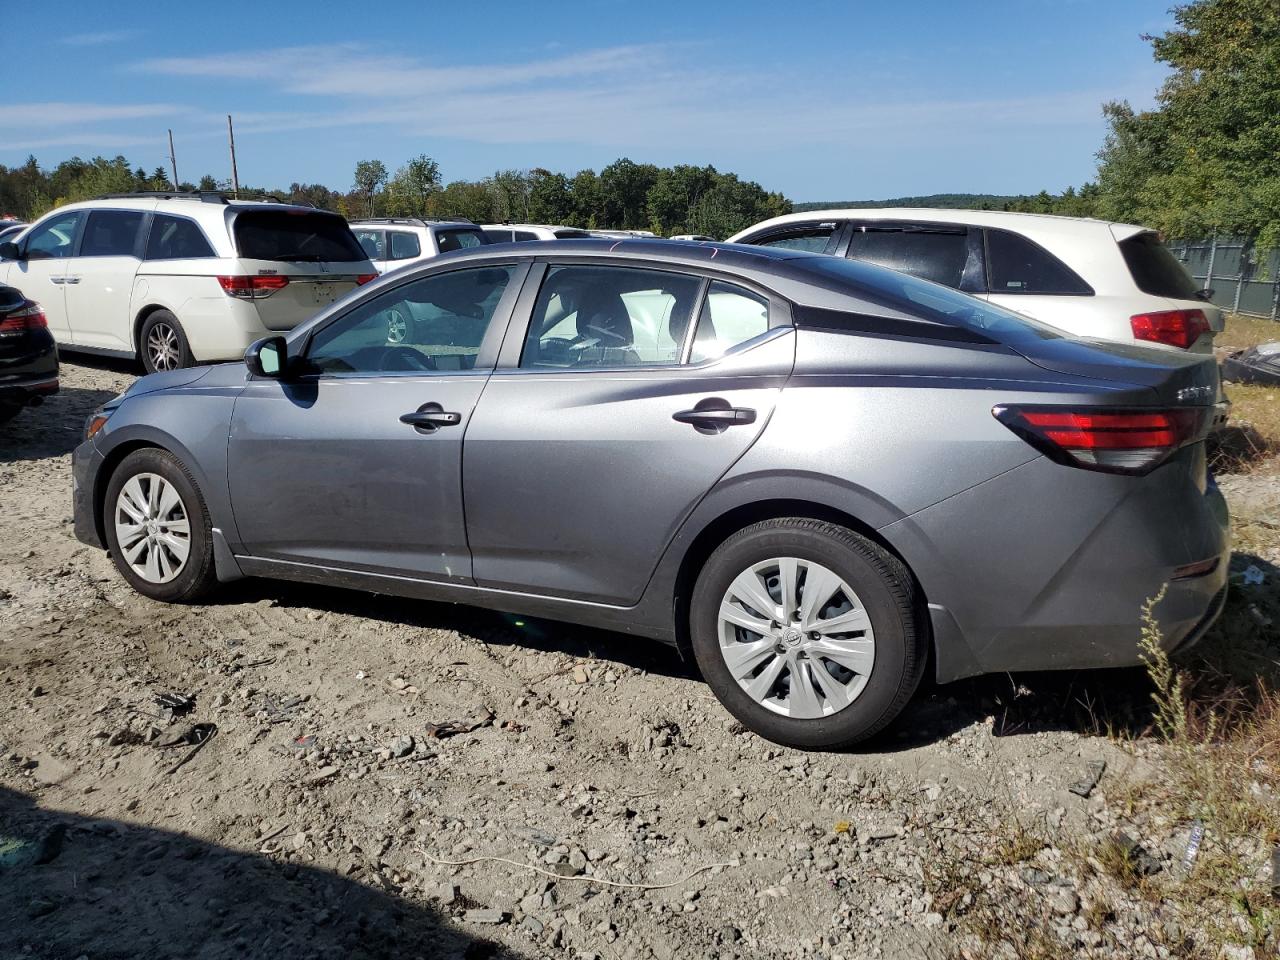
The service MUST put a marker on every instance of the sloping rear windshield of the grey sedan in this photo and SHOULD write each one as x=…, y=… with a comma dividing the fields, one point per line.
x=926, y=300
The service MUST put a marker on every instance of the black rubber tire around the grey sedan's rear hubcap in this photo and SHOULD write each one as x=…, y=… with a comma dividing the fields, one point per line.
x=889, y=595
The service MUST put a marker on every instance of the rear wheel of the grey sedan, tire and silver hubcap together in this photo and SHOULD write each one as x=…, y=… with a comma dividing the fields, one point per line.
x=808, y=633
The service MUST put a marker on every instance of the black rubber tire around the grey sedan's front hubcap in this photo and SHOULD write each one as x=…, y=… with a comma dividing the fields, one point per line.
x=198, y=577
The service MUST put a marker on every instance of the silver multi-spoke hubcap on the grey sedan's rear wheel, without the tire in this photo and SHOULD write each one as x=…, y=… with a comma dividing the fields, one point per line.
x=797, y=638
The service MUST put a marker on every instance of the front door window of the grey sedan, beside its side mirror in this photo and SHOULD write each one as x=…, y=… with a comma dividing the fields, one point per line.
x=436, y=323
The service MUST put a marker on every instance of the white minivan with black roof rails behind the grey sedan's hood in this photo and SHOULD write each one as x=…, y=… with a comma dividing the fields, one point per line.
x=181, y=278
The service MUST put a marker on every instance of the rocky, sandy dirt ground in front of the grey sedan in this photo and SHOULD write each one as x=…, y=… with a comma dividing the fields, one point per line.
x=360, y=740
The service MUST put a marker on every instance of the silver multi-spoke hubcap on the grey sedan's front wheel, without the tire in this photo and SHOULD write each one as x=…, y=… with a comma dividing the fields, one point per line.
x=153, y=529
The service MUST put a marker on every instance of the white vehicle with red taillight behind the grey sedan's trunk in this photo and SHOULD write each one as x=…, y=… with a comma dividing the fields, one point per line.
x=1090, y=278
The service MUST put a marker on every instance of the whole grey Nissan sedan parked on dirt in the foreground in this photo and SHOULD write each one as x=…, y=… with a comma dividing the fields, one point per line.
x=816, y=477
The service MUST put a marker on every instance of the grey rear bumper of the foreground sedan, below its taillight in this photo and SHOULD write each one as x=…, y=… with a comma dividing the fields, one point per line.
x=1048, y=568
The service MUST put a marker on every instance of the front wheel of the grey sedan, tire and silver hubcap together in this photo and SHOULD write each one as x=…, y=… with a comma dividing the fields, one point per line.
x=158, y=528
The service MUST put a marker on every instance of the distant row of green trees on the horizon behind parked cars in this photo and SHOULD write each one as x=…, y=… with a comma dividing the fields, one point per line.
x=625, y=195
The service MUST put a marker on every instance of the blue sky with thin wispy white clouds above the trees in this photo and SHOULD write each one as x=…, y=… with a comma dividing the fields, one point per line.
x=821, y=100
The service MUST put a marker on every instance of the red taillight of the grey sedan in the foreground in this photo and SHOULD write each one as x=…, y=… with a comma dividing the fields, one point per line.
x=1131, y=441
